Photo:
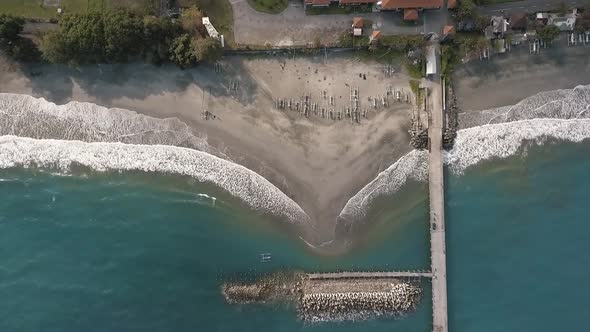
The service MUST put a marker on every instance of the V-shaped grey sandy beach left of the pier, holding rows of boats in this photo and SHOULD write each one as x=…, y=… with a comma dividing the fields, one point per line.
x=318, y=162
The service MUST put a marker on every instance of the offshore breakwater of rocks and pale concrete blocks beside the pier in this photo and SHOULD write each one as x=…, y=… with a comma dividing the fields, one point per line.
x=329, y=299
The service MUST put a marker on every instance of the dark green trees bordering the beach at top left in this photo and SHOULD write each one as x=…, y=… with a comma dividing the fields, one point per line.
x=119, y=36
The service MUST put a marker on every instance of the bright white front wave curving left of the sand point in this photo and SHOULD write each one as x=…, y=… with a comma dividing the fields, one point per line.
x=237, y=180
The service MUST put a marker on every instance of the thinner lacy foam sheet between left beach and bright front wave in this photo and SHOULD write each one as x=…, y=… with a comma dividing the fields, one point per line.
x=26, y=116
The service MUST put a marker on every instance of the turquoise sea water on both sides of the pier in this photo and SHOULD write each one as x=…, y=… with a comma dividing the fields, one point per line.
x=121, y=252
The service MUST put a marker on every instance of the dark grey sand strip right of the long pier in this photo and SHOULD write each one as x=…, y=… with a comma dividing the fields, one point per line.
x=509, y=78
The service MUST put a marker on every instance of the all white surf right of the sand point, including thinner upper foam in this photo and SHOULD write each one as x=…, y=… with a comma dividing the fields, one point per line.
x=499, y=133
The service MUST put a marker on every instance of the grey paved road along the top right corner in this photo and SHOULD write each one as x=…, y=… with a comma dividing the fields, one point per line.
x=526, y=6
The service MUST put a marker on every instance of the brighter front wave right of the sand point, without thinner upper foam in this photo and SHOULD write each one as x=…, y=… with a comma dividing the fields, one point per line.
x=472, y=146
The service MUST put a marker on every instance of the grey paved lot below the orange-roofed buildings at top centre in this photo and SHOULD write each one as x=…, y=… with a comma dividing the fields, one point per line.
x=293, y=27
